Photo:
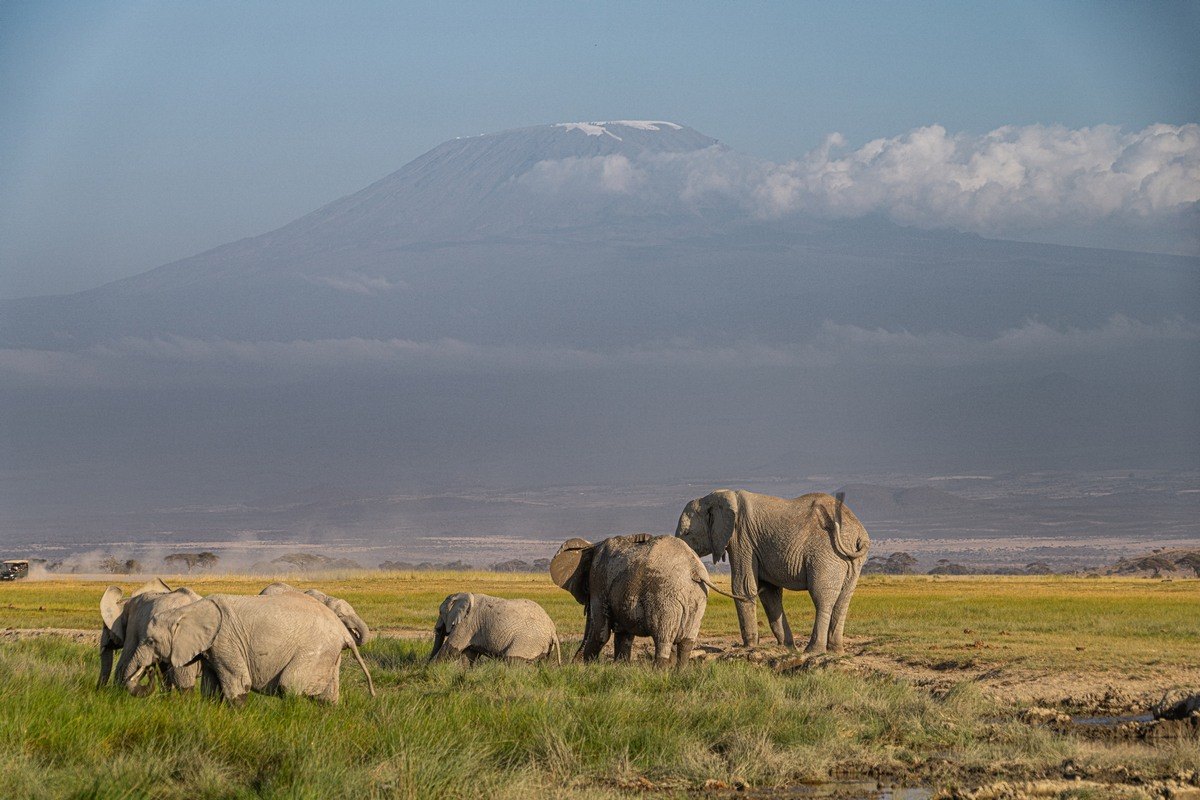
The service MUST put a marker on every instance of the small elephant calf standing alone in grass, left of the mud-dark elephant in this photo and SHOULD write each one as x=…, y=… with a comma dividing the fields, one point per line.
x=481, y=625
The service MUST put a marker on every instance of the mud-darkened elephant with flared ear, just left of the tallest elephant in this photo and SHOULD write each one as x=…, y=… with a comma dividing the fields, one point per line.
x=639, y=586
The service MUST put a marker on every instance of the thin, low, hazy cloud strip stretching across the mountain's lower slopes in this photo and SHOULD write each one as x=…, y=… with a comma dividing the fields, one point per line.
x=176, y=359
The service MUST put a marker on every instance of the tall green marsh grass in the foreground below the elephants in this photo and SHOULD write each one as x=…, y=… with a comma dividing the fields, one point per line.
x=445, y=731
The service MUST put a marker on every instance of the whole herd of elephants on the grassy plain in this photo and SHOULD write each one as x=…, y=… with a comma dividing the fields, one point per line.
x=287, y=642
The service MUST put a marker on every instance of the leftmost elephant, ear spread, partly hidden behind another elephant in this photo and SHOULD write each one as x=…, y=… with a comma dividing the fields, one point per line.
x=124, y=629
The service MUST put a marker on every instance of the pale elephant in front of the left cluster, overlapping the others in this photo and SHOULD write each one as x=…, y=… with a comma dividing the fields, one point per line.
x=287, y=643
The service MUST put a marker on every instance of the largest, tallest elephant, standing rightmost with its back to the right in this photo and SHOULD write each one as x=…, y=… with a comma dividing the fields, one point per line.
x=812, y=543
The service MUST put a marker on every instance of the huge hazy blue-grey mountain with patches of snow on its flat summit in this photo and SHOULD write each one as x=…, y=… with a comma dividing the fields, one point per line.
x=590, y=302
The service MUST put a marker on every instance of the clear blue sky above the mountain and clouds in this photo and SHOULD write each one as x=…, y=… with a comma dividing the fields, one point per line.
x=135, y=134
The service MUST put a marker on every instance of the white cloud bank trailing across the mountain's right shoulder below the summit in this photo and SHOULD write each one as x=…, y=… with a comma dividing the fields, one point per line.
x=1010, y=183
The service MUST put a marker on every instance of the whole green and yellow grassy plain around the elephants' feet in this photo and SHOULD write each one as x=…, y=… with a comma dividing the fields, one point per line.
x=956, y=688
